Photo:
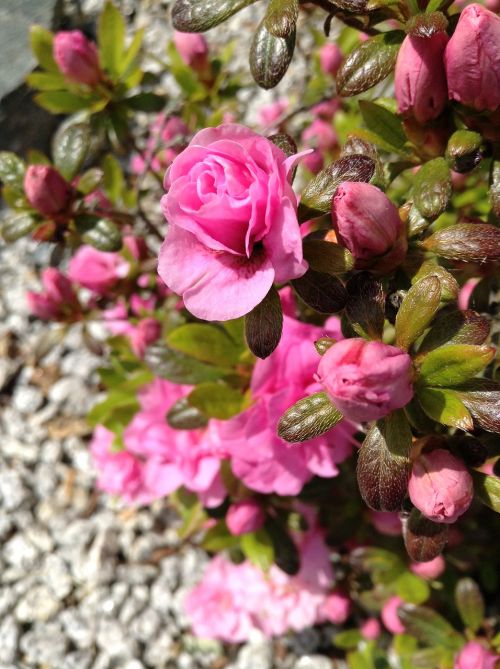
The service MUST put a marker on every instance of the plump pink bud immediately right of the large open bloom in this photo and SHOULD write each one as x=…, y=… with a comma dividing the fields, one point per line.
x=367, y=222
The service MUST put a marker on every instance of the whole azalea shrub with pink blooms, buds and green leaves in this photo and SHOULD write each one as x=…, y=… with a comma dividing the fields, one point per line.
x=299, y=313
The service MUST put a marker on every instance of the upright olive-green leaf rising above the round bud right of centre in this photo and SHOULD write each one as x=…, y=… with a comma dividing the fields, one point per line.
x=417, y=310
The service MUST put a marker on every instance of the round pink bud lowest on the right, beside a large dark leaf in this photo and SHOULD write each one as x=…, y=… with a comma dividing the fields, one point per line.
x=440, y=486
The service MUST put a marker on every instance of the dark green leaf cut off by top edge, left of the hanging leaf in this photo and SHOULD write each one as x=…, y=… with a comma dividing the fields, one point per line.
x=193, y=16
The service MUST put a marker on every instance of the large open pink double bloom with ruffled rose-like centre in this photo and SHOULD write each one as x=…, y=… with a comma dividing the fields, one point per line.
x=233, y=227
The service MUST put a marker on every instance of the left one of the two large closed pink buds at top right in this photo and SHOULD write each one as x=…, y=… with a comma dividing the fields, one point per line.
x=420, y=79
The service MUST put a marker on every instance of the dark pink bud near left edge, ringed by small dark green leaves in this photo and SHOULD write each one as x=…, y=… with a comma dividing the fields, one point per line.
x=46, y=190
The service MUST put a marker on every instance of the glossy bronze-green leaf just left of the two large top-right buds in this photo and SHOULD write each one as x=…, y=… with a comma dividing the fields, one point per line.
x=369, y=63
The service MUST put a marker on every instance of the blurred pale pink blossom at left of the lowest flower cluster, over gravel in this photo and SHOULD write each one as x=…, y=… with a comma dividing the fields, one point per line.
x=223, y=605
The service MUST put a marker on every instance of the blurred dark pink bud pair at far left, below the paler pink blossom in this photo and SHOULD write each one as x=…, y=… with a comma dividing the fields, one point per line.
x=57, y=301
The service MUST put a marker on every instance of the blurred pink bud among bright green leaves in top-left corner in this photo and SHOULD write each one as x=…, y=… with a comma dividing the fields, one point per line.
x=77, y=57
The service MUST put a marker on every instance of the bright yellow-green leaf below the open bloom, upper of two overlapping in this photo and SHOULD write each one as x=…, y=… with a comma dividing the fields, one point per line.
x=204, y=342
